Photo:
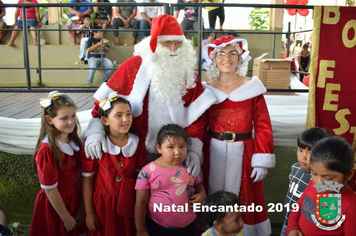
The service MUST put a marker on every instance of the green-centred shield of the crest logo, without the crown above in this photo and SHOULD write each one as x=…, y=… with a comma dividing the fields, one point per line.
x=328, y=208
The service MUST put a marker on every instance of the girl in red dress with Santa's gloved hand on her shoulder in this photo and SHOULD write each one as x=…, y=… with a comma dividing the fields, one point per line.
x=108, y=183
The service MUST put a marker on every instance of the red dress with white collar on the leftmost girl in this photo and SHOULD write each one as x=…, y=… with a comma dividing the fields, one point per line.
x=45, y=220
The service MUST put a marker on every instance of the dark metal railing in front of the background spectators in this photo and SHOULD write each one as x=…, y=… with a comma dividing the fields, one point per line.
x=168, y=8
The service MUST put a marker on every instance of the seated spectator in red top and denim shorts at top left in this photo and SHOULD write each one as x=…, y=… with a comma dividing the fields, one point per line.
x=32, y=20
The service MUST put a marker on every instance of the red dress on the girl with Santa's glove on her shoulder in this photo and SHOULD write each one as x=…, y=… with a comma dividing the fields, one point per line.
x=107, y=189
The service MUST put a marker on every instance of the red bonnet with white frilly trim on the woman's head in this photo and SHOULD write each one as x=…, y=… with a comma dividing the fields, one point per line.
x=223, y=42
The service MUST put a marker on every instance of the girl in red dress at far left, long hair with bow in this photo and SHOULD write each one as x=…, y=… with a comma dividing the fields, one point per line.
x=56, y=161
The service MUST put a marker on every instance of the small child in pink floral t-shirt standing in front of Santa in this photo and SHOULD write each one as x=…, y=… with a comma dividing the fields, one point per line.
x=166, y=187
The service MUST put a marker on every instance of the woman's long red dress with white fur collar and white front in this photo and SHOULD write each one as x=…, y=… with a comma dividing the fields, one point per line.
x=241, y=111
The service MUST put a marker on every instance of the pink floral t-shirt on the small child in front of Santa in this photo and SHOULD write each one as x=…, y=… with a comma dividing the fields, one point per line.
x=168, y=187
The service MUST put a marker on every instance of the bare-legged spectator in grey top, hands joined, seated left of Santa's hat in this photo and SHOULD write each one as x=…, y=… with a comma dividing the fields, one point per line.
x=125, y=16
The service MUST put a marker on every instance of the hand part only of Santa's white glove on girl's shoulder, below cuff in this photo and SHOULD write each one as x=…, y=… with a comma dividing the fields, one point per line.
x=93, y=146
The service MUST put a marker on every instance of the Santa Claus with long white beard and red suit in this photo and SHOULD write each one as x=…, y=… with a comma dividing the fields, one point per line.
x=162, y=87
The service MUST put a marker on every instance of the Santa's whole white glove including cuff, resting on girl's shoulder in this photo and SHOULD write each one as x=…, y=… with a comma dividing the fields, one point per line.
x=94, y=138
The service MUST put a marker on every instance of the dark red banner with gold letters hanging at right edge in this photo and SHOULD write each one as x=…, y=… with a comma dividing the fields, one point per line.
x=332, y=91
